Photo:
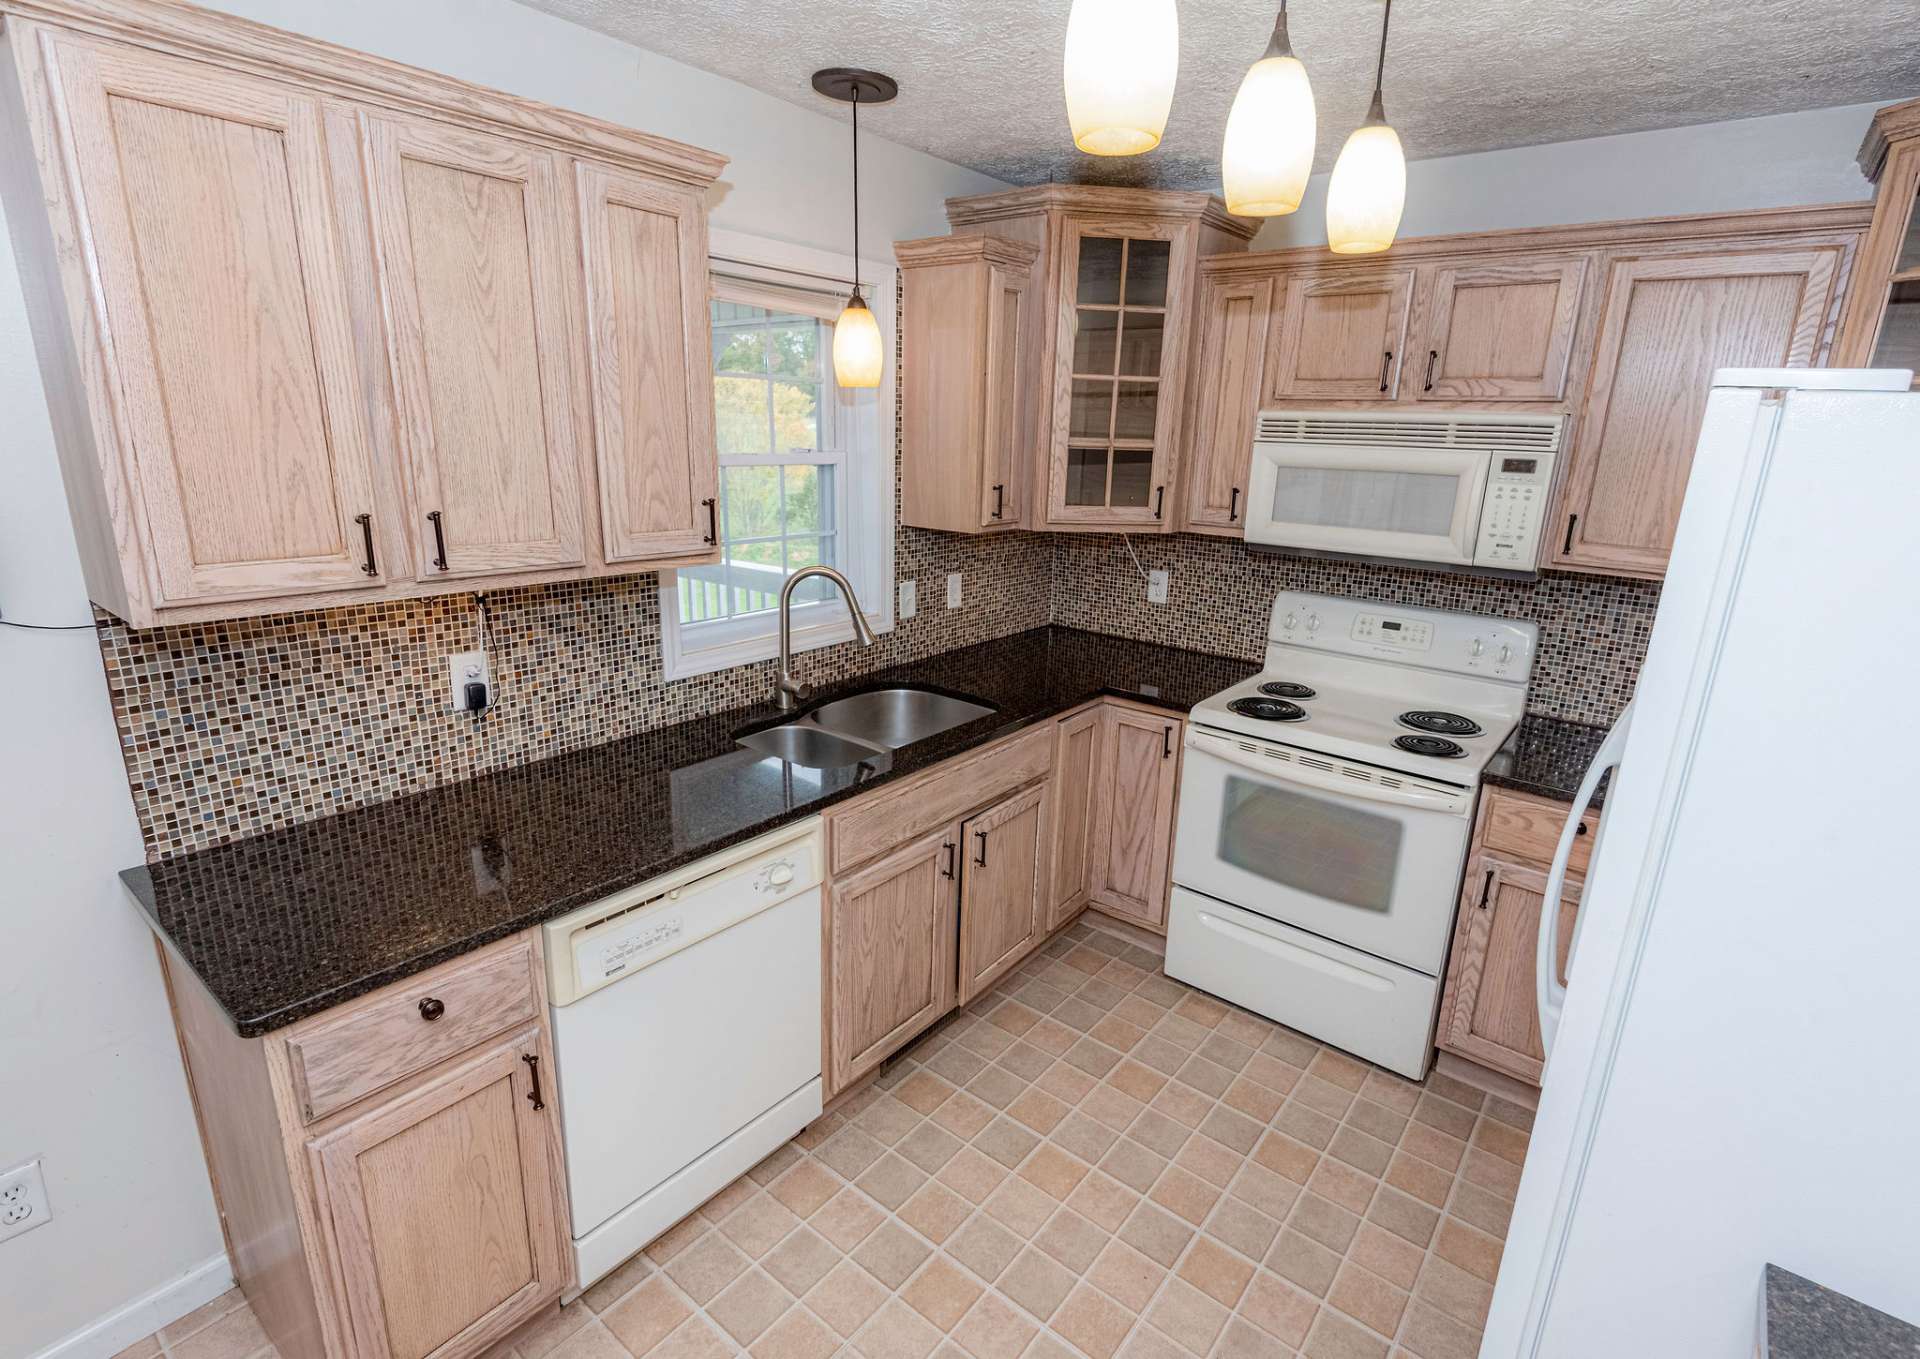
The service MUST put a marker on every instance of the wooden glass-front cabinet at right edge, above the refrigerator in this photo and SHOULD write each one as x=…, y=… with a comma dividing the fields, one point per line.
x=1883, y=327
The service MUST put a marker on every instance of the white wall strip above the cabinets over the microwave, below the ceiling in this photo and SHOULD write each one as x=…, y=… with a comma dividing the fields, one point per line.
x=1762, y=162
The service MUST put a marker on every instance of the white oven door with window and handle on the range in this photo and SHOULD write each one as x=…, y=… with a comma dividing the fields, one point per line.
x=1345, y=851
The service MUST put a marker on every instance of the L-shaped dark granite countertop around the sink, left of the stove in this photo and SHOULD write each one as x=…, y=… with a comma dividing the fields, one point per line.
x=299, y=920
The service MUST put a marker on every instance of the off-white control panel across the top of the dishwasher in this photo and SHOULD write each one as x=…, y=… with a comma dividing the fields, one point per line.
x=633, y=930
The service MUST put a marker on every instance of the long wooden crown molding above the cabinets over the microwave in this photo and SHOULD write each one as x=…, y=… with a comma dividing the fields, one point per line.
x=1643, y=231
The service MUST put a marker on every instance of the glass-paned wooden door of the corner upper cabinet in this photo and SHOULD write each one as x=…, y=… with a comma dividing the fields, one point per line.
x=1124, y=312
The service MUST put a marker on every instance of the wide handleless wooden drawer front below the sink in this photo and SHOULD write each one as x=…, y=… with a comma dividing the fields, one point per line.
x=967, y=784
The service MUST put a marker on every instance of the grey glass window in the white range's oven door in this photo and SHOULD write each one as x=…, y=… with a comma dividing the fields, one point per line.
x=1310, y=846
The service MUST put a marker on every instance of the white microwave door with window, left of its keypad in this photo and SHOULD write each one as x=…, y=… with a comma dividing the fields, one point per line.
x=1416, y=504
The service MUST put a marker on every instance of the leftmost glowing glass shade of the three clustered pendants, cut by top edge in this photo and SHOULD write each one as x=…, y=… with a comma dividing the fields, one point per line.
x=1122, y=62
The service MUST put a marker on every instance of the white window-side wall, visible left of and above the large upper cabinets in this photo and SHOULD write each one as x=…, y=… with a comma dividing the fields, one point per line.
x=89, y=1068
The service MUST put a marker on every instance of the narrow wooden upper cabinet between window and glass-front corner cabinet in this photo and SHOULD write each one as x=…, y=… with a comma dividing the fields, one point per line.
x=969, y=383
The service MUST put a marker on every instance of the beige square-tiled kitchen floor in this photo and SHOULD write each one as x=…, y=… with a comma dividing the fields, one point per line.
x=1090, y=1160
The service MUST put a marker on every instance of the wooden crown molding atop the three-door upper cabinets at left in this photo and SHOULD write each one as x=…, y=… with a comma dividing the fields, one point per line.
x=191, y=32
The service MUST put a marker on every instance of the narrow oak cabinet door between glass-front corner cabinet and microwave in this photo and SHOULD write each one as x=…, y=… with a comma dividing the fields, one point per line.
x=1234, y=341
